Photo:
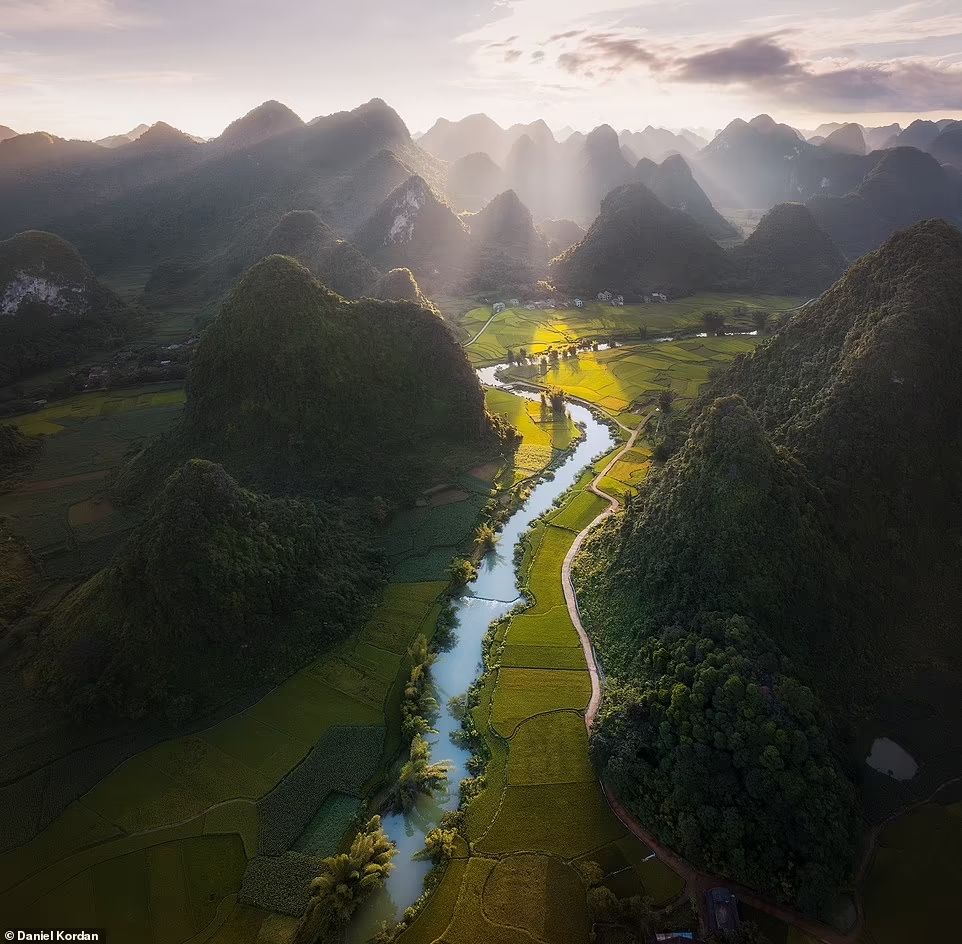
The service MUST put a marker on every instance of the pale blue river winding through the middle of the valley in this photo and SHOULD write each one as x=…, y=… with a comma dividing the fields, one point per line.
x=488, y=598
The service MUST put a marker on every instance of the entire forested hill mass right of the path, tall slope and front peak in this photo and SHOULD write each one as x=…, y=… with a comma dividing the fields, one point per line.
x=812, y=516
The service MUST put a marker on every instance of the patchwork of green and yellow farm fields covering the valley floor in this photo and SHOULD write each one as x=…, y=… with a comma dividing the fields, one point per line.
x=157, y=850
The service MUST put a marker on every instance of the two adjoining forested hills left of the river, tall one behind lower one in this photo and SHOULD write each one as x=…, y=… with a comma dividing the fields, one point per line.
x=297, y=392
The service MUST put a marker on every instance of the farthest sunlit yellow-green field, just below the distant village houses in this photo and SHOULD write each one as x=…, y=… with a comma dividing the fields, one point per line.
x=536, y=331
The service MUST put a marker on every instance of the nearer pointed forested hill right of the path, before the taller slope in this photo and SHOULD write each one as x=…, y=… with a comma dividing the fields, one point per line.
x=706, y=733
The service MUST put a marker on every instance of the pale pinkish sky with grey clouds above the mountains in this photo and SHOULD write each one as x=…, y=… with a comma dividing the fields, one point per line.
x=89, y=68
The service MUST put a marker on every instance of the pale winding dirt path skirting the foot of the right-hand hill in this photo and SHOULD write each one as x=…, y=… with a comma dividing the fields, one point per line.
x=696, y=882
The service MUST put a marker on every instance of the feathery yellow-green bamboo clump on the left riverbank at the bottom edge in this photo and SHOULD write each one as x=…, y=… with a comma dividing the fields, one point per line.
x=344, y=882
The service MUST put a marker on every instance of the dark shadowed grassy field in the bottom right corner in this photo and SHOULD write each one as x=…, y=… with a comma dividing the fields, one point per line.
x=911, y=889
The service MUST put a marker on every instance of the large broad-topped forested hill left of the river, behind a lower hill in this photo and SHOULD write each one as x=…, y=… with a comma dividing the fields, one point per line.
x=294, y=387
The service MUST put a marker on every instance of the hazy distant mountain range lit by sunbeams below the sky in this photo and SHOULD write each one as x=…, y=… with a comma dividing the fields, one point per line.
x=197, y=214
